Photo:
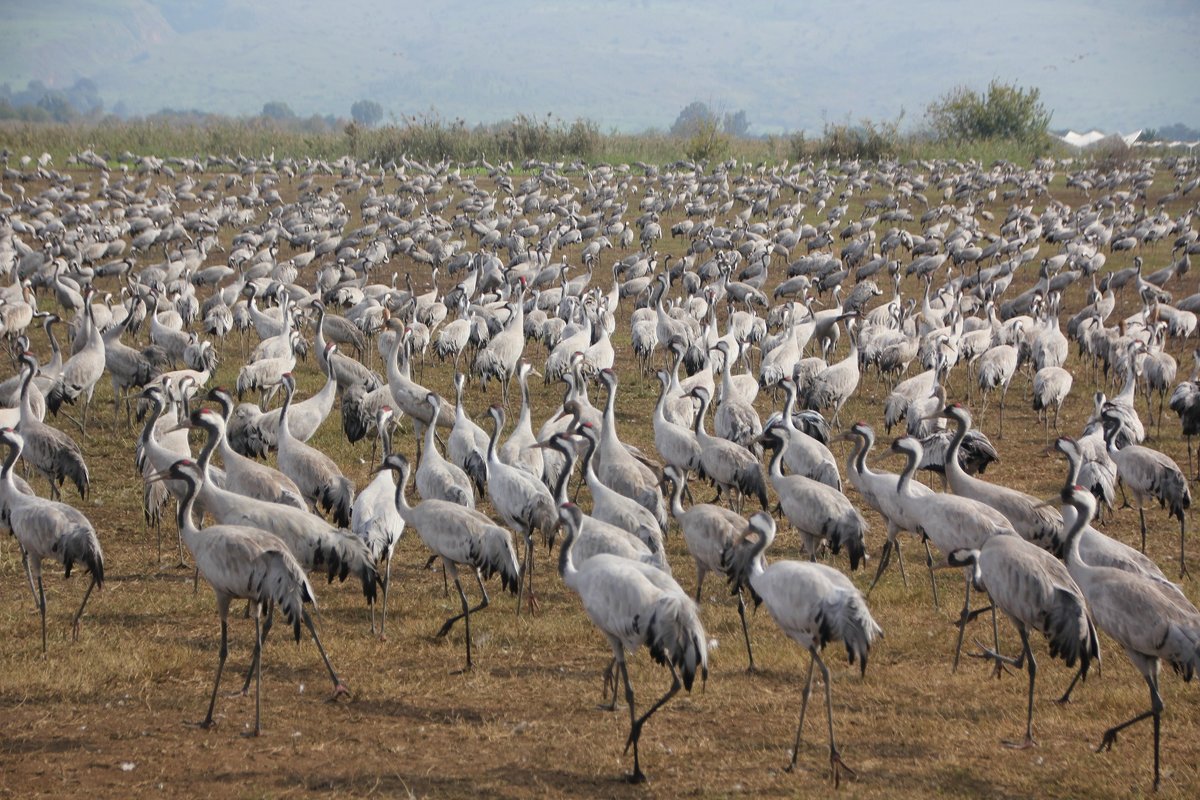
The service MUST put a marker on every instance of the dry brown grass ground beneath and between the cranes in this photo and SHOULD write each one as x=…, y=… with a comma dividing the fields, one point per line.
x=107, y=717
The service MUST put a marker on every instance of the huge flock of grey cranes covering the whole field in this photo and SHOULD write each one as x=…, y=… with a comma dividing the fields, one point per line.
x=163, y=281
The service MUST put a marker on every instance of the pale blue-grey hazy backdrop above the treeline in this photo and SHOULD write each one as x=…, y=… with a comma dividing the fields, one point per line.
x=628, y=65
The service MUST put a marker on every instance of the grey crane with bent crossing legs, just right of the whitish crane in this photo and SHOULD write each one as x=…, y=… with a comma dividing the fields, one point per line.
x=460, y=537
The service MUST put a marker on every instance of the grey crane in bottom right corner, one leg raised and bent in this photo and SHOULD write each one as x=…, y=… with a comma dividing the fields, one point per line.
x=1153, y=625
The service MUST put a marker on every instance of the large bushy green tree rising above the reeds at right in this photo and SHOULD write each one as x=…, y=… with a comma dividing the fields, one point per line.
x=1005, y=112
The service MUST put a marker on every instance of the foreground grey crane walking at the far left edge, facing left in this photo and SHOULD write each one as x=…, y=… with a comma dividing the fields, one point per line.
x=47, y=530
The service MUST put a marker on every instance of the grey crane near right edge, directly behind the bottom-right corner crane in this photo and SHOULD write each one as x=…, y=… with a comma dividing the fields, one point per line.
x=1149, y=474
